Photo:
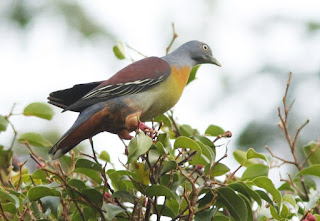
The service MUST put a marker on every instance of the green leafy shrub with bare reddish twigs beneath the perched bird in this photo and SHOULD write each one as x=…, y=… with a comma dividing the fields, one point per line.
x=172, y=171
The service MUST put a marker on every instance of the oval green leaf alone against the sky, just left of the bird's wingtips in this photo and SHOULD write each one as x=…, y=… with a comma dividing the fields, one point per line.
x=37, y=109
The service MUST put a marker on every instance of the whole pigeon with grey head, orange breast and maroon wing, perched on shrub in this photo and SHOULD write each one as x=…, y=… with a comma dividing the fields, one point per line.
x=137, y=93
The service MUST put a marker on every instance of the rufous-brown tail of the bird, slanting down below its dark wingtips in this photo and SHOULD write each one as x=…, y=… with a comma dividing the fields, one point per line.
x=83, y=128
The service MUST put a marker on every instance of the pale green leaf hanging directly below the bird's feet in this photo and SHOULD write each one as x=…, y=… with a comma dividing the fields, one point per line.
x=138, y=146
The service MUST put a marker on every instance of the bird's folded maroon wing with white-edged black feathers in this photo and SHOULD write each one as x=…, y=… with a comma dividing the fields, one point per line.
x=136, y=77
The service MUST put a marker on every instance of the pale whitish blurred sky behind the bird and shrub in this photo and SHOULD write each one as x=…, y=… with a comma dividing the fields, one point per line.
x=246, y=36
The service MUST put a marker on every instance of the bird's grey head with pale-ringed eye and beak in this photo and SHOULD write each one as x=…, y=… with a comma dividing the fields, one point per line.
x=198, y=52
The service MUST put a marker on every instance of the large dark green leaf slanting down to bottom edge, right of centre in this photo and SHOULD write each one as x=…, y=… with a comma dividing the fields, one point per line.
x=234, y=203
